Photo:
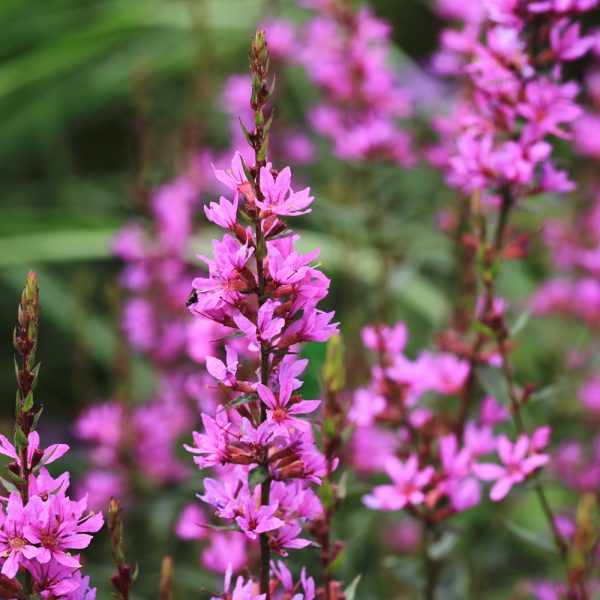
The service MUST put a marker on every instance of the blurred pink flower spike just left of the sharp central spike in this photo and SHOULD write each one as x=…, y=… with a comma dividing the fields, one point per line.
x=154, y=324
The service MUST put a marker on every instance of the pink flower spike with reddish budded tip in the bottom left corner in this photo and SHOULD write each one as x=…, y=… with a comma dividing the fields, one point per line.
x=40, y=526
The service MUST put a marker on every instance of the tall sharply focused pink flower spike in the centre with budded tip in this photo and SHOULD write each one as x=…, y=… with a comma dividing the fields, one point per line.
x=259, y=440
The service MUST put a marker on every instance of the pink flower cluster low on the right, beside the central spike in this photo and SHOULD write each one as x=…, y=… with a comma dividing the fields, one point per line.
x=440, y=470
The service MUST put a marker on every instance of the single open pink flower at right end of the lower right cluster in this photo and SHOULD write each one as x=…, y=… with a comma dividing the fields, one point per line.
x=517, y=464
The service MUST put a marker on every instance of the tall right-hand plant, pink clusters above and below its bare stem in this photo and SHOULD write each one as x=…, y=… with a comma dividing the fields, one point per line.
x=497, y=146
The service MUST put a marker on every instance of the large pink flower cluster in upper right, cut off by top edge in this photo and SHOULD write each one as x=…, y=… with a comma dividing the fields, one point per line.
x=515, y=98
